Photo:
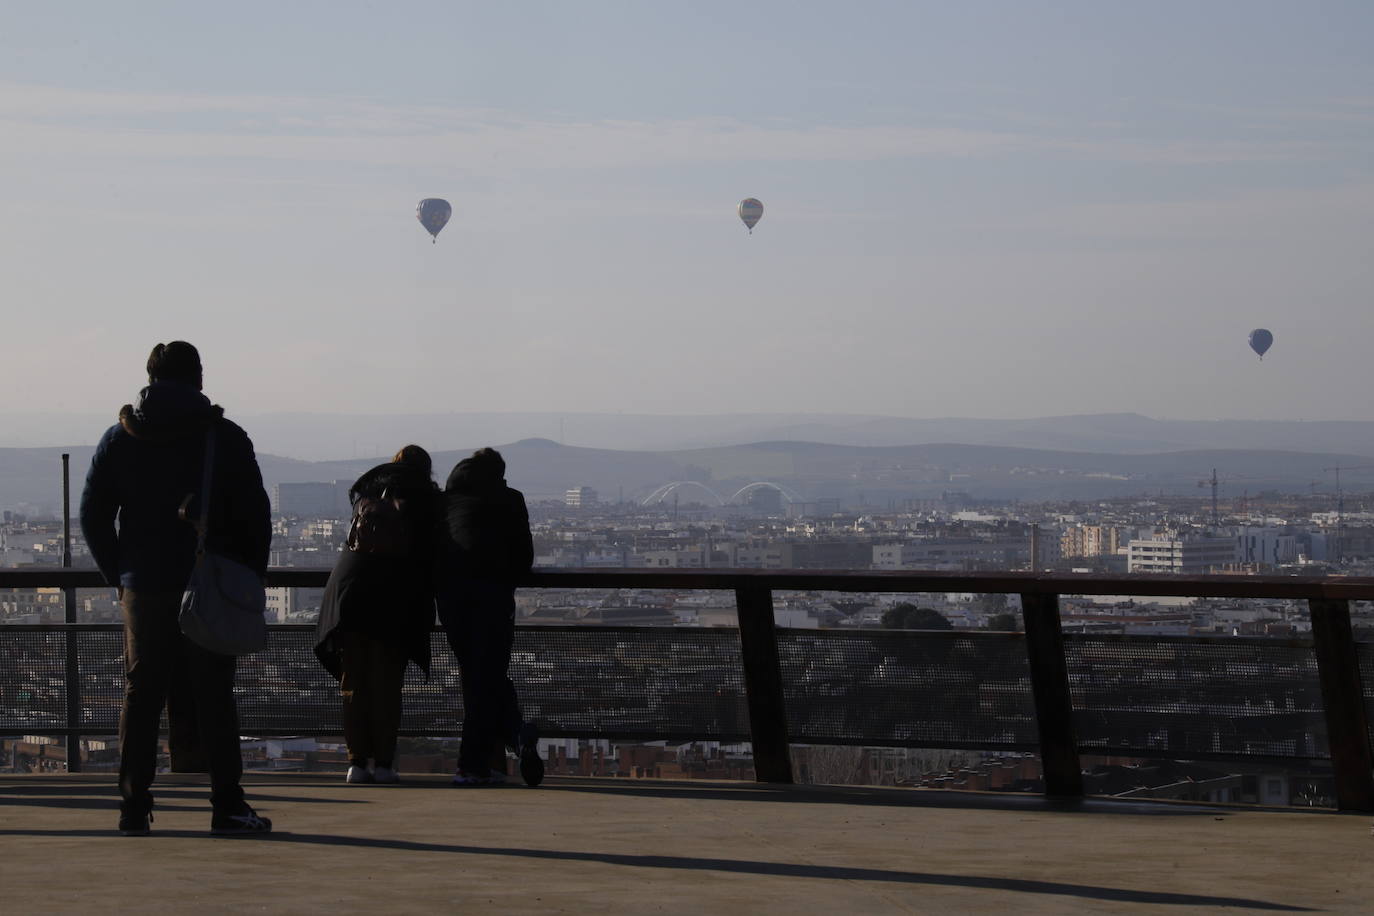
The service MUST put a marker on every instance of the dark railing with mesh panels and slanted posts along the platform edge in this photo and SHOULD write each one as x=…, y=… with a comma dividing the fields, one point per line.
x=1229, y=700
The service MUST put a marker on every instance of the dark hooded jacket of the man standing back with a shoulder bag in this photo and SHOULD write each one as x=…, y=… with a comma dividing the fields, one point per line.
x=145, y=466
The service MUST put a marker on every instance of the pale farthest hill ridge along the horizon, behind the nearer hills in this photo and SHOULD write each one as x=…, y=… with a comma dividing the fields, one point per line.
x=321, y=437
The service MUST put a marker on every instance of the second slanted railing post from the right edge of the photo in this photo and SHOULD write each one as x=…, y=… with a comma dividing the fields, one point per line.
x=1053, y=704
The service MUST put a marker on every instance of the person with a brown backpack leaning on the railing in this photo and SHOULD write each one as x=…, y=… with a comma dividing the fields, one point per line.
x=379, y=609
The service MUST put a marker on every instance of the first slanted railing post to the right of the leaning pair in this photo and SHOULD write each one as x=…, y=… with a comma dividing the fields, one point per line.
x=763, y=683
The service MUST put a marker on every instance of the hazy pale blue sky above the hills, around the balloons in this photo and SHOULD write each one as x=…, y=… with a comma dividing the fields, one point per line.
x=973, y=209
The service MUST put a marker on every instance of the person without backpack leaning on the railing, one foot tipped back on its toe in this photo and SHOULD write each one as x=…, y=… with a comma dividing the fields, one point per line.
x=484, y=549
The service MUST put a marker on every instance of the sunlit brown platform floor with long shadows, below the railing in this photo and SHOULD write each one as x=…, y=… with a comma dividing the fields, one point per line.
x=629, y=845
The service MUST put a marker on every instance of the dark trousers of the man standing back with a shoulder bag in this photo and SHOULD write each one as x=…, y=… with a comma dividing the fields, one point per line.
x=161, y=665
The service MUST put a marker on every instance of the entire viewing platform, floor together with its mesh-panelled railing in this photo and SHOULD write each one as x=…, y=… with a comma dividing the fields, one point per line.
x=645, y=845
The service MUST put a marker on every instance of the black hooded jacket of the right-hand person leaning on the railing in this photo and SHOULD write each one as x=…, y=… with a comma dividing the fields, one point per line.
x=486, y=528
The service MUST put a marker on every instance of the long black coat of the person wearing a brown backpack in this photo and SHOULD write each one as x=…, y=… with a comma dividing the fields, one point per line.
x=388, y=598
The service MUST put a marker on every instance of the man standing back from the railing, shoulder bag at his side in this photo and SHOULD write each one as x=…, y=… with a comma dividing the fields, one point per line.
x=142, y=472
